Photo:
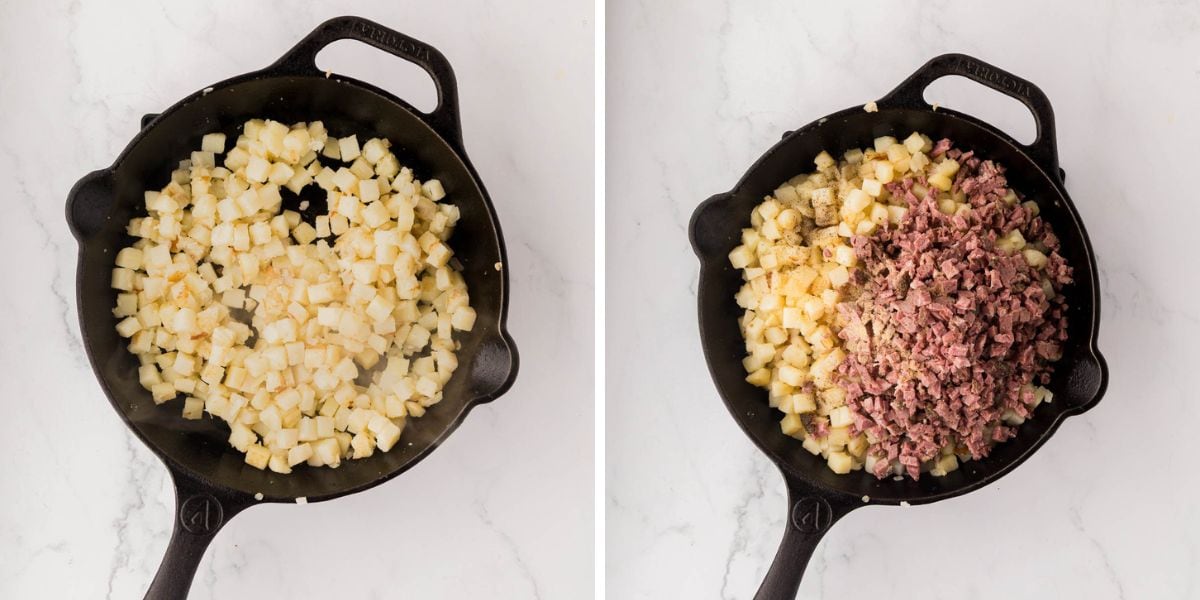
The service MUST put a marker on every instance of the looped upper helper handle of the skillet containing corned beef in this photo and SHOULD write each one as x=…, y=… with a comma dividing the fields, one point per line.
x=910, y=94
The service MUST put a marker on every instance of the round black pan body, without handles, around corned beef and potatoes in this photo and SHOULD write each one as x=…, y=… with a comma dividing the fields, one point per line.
x=1079, y=376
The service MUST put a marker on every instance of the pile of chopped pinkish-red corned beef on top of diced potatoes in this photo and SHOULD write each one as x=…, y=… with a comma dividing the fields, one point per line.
x=949, y=332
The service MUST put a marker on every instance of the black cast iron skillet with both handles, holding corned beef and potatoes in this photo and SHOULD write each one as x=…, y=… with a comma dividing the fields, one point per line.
x=817, y=496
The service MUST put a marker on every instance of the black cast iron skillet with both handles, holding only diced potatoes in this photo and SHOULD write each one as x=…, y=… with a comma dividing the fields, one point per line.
x=213, y=483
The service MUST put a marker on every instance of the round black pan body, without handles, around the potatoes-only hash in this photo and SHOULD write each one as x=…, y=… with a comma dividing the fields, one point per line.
x=201, y=448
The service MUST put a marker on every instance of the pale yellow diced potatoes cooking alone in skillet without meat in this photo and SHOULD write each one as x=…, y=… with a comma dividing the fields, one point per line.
x=315, y=343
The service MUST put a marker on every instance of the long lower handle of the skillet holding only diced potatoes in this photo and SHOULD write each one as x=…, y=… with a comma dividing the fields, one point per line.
x=200, y=514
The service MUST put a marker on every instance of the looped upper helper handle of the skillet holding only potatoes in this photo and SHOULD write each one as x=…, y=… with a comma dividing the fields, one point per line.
x=302, y=59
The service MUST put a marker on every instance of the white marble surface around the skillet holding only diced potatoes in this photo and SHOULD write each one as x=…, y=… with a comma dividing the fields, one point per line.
x=502, y=511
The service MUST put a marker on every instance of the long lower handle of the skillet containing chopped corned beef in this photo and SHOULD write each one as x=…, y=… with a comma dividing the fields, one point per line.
x=812, y=513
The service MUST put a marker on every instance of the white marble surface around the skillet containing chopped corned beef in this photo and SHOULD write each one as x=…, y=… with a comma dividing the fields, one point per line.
x=698, y=91
